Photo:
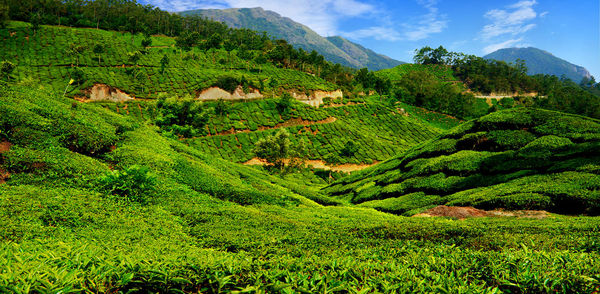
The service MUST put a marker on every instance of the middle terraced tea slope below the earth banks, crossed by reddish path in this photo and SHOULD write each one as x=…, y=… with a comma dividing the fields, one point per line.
x=379, y=131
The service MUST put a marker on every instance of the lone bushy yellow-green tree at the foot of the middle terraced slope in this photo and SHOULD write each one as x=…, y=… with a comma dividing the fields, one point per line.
x=274, y=149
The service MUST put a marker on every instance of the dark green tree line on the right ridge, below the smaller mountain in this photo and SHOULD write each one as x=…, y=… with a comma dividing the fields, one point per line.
x=492, y=76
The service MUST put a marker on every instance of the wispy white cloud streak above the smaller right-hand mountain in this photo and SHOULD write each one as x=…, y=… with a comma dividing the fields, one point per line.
x=511, y=22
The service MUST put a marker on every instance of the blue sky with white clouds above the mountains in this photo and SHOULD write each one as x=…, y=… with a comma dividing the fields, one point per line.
x=568, y=29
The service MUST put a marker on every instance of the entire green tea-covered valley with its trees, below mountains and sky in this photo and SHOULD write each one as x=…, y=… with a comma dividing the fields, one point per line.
x=143, y=151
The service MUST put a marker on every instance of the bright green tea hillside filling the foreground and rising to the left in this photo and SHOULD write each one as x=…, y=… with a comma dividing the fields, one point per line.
x=101, y=202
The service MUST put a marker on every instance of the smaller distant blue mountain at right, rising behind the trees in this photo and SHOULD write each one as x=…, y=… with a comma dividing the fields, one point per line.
x=541, y=62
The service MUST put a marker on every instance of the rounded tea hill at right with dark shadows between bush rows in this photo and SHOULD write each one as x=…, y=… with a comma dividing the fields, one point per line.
x=513, y=159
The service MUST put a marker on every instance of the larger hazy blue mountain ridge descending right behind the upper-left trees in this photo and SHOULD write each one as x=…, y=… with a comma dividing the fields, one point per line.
x=334, y=49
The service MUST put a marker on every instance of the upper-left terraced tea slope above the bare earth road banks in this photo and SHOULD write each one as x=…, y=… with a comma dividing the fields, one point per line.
x=47, y=56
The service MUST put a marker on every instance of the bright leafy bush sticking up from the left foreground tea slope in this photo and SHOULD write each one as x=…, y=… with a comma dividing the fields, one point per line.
x=135, y=184
